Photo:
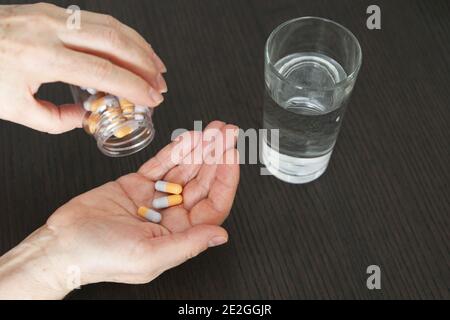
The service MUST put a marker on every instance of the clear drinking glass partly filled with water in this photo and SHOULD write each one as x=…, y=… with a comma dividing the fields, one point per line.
x=311, y=65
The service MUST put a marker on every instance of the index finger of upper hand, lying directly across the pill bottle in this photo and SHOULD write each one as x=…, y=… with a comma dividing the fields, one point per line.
x=93, y=72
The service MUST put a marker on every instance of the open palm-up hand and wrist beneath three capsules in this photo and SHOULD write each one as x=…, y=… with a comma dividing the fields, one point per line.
x=100, y=232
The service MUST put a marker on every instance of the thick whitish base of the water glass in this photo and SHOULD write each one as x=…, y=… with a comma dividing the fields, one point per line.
x=293, y=169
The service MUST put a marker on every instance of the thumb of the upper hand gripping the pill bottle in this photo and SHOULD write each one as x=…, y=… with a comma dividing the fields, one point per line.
x=47, y=117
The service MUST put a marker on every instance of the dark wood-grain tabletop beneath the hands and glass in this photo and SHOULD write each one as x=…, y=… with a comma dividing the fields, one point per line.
x=384, y=199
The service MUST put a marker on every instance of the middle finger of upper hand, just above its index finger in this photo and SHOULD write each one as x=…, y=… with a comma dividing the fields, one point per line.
x=114, y=45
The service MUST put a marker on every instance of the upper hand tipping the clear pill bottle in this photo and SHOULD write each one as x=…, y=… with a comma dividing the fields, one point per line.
x=37, y=47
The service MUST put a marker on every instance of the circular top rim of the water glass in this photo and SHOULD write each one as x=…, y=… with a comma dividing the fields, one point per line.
x=344, y=81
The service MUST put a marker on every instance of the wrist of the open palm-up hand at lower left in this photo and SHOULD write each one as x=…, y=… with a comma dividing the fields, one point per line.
x=36, y=269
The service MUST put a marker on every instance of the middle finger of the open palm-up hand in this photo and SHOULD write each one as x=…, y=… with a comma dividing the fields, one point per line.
x=199, y=187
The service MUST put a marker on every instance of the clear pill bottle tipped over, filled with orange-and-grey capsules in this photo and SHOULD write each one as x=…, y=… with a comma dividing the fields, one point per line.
x=119, y=127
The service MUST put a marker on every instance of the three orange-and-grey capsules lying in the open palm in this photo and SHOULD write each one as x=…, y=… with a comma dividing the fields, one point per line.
x=175, y=198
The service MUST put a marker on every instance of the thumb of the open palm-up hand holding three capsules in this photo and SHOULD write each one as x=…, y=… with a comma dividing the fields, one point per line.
x=174, y=249
